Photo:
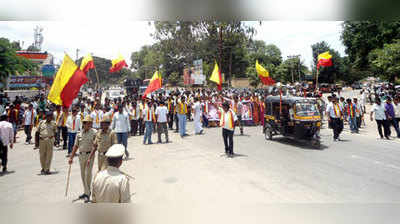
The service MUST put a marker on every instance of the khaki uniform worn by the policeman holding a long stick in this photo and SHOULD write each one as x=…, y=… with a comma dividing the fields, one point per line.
x=84, y=141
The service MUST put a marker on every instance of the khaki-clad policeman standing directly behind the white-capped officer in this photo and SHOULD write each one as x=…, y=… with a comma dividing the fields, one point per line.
x=105, y=138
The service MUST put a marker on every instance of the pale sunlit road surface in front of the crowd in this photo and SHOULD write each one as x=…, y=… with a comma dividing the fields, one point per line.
x=194, y=170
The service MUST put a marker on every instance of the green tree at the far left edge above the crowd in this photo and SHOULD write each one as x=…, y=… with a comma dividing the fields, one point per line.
x=11, y=63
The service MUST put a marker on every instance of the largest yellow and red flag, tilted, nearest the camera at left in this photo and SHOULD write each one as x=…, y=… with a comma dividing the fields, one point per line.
x=67, y=83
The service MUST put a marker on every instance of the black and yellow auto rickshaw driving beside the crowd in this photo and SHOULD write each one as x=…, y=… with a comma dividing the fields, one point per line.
x=293, y=117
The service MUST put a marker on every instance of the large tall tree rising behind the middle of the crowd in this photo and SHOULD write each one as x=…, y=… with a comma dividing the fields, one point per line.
x=182, y=42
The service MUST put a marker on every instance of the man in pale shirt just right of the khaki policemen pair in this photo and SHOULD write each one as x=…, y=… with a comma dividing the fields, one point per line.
x=121, y=126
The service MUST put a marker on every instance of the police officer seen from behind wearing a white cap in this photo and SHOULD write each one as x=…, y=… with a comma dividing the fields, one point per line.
x=111, y=185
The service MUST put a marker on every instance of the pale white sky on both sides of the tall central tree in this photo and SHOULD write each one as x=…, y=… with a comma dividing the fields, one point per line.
x=108, y=39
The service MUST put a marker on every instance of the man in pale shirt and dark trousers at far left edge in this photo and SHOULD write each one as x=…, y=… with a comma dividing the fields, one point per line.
x=7, y=138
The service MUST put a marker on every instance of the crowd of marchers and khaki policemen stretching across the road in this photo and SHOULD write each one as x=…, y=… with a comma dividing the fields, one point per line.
x=95, y=125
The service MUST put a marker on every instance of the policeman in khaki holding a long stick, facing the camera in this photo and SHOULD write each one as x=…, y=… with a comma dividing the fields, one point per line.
x=84, y=142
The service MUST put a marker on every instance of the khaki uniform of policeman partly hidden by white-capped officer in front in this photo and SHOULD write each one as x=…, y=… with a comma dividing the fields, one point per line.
x=104, y=141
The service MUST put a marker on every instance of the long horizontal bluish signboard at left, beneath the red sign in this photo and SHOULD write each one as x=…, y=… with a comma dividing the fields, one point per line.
x=27, y=82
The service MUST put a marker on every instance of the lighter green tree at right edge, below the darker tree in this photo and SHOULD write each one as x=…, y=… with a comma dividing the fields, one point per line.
x=385, y=61
